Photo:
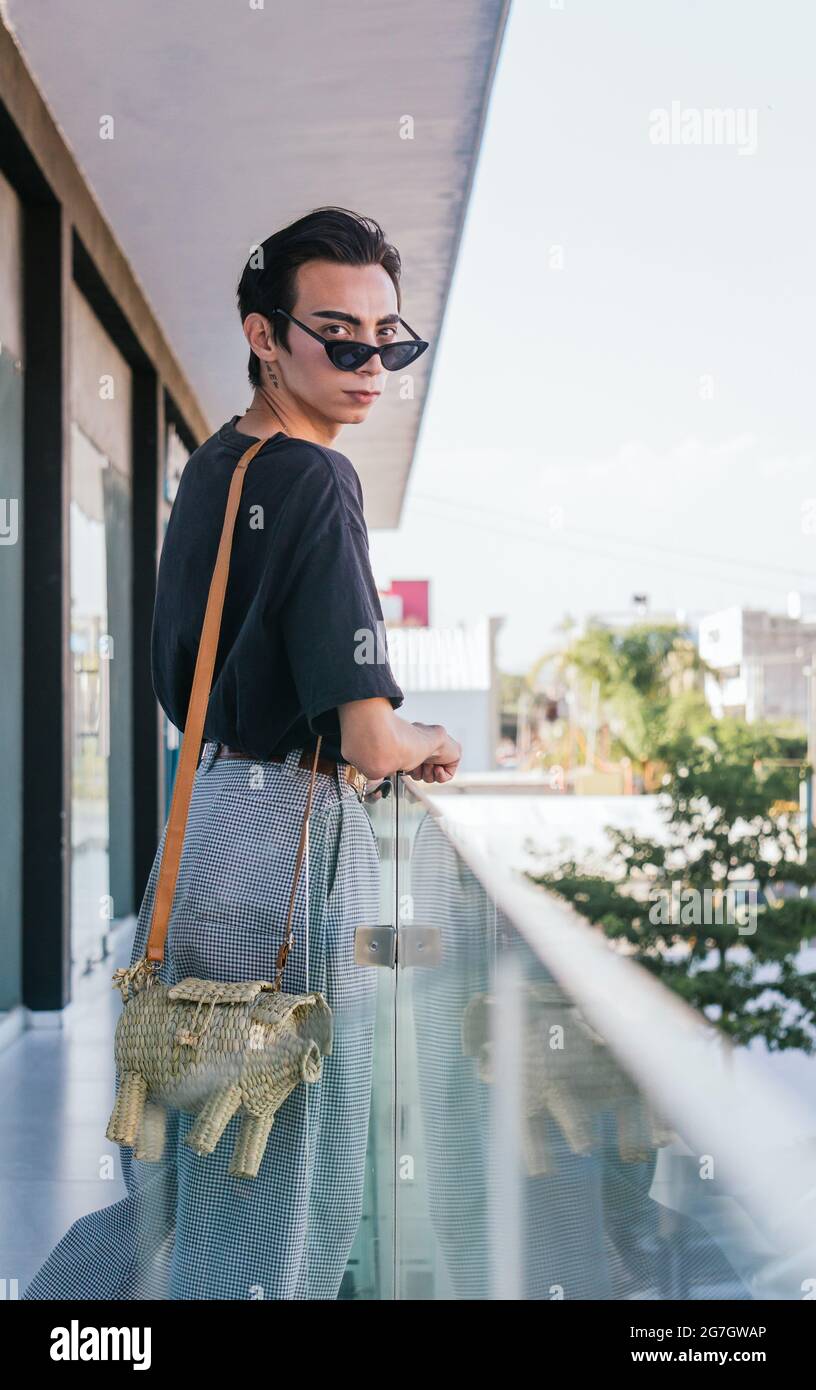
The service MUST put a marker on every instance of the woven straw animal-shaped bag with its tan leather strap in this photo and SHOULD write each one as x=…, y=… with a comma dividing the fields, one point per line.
x=208, y=1047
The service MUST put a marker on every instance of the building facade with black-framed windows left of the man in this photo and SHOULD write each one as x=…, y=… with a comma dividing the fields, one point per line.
x=97, y=420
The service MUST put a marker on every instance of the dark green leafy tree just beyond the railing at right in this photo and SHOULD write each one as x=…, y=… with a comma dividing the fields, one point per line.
x=729, y=821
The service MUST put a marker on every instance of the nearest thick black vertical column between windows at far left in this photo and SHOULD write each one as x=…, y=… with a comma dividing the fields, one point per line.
x=47, y=826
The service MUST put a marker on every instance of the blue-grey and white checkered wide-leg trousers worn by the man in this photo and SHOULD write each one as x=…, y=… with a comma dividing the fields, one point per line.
x=187, y=1228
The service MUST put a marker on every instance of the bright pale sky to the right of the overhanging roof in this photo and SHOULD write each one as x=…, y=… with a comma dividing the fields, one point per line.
x=623, y=391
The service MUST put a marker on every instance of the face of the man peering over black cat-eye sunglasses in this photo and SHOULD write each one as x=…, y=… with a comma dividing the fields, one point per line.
x=329, y=298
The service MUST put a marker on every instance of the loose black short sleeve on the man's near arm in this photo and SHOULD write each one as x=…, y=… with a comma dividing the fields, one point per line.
x=332, y=616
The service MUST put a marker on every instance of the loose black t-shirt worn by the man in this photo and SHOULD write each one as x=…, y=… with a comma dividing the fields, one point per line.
x=302, y=629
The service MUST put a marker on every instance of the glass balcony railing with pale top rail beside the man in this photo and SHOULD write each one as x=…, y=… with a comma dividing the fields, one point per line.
x=548, y=1120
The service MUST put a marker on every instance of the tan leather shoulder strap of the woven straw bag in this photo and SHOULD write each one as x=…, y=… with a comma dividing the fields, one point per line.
x=191, y=747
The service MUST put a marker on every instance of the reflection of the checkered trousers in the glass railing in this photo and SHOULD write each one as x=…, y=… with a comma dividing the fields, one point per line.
x=561, y=1214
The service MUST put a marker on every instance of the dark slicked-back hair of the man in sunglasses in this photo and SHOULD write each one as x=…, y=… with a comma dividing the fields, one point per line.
x=333, y=234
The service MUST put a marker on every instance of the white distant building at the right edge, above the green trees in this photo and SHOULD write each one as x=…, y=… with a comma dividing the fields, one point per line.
x=760, y=660
